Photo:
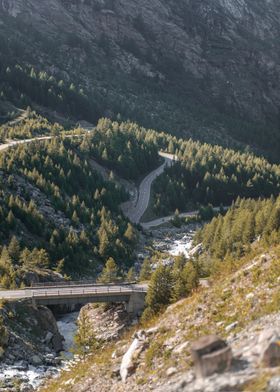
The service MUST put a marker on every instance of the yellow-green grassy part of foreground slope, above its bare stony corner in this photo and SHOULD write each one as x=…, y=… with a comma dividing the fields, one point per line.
x=238, y=294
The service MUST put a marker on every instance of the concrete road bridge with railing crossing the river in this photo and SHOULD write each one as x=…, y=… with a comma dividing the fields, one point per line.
x=131, y=294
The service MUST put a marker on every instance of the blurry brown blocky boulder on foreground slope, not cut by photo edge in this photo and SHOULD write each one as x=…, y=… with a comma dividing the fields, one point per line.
x=211, y=355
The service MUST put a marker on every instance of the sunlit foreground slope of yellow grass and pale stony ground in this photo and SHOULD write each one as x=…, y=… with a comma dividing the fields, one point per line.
x=239, y=305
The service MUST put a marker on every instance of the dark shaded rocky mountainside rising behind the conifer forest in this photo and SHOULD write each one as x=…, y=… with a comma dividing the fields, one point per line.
x=207, y=69
